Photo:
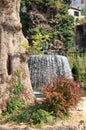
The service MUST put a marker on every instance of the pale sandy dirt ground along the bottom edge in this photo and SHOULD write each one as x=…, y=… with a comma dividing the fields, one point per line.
x=77, y=118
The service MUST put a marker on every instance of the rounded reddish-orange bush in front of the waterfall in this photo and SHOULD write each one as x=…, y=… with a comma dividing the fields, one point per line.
x=61, y=95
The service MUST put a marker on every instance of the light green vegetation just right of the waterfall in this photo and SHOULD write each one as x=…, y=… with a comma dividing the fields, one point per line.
x=78, y=61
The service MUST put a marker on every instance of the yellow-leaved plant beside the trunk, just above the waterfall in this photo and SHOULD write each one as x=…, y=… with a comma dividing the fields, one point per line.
x=39, y=41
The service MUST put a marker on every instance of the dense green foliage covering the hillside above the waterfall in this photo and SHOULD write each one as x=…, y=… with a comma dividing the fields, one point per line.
x=41, y=38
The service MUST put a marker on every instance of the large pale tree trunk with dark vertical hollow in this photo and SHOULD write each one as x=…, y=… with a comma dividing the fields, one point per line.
x=11, y=53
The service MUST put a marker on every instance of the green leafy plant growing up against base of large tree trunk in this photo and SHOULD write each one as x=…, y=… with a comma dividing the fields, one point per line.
x=14, y=102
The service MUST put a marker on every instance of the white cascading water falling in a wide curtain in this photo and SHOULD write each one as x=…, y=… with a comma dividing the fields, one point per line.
x=44, y=69
